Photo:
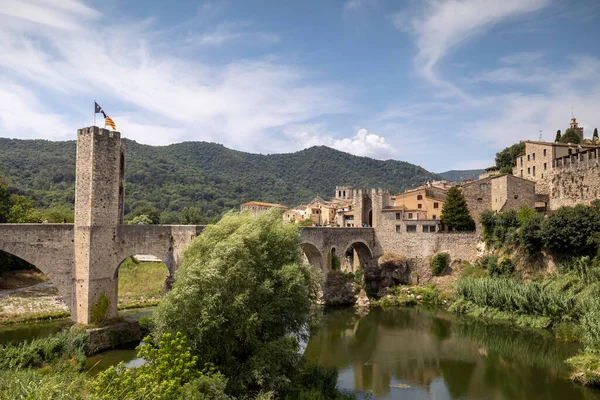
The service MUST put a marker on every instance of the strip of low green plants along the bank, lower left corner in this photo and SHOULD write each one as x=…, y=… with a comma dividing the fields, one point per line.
x=66, y=345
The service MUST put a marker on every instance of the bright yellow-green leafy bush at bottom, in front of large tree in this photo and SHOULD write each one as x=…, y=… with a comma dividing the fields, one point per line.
x=170, y=371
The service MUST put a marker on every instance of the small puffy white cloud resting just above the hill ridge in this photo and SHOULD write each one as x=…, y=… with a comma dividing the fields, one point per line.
x=362, y=144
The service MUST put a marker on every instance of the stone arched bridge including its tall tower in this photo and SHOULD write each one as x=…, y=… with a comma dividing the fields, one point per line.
x=82, y=259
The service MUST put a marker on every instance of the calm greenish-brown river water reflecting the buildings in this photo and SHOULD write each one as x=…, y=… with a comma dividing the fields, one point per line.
x=416, y=354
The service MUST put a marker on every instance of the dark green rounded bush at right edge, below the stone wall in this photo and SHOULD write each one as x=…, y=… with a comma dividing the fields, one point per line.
x=568, y=230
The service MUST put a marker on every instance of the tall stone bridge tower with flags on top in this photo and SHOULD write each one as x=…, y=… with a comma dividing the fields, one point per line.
x=99, y=205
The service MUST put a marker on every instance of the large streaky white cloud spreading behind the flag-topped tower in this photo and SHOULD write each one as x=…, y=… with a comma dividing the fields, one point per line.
x=131, y=70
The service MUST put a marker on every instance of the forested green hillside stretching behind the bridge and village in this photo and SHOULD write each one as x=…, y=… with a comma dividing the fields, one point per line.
x=203, y=176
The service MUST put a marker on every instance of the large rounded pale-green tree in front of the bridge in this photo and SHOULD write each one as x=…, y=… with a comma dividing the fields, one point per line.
x=243, y=297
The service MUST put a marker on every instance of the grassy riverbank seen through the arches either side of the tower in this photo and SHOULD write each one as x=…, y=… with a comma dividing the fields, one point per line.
x=28, y=296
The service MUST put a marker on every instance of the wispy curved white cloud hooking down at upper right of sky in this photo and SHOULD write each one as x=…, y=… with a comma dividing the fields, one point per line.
x=441, y=26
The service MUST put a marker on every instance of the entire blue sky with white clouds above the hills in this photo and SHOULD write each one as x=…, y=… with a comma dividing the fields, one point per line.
x=444, y=84
